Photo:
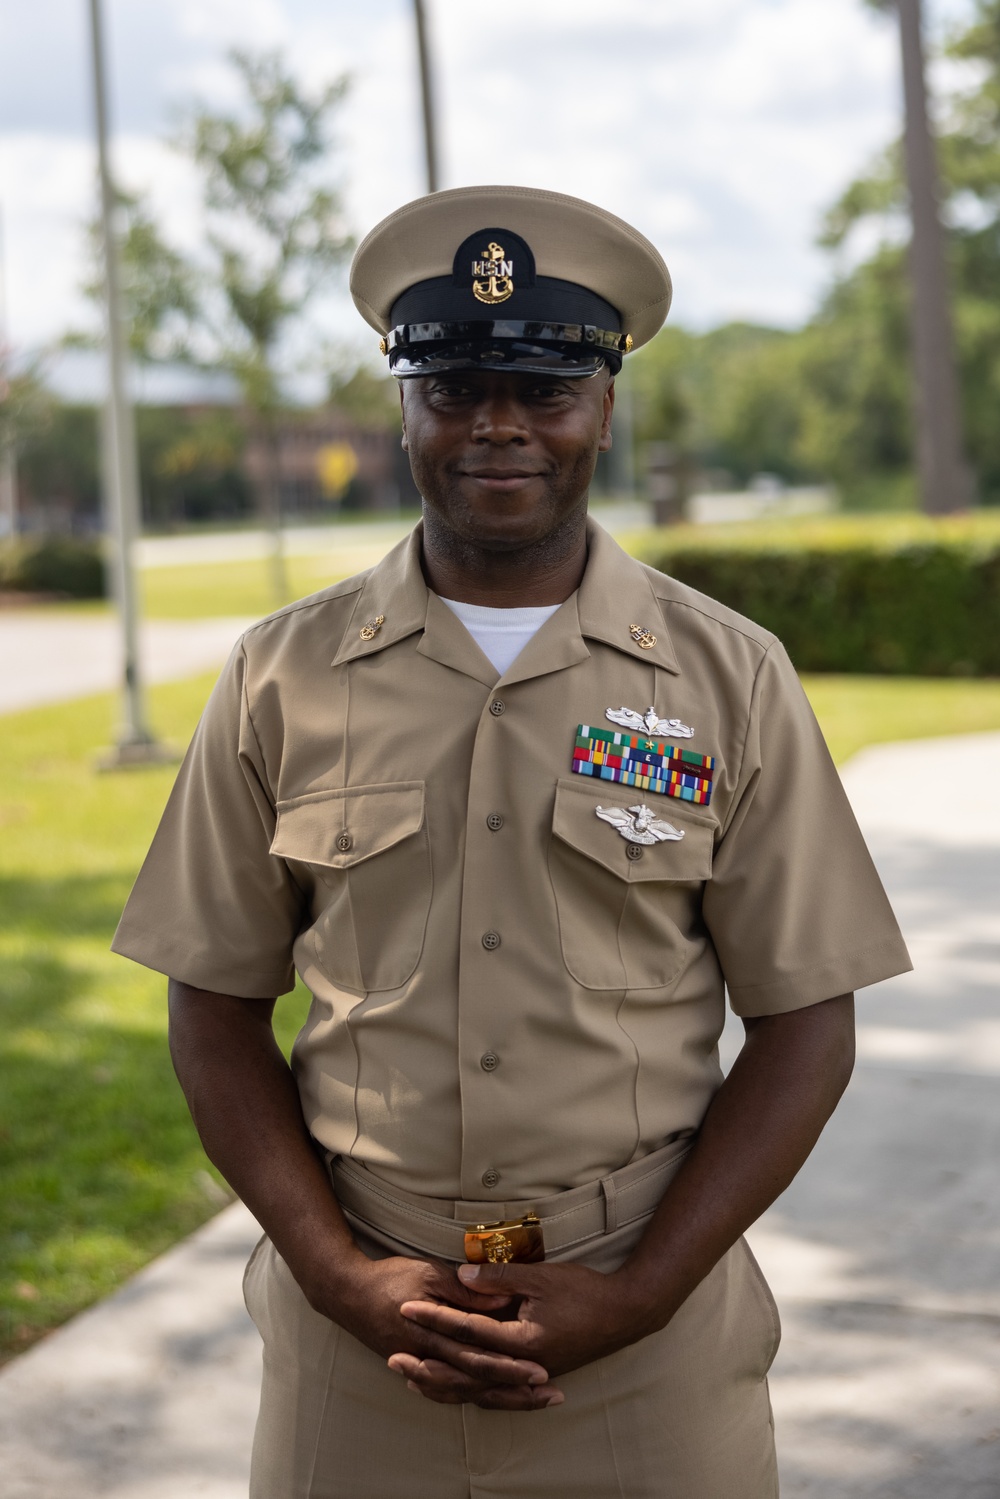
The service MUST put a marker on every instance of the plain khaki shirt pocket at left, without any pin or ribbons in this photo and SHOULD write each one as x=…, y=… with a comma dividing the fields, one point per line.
x=368, y=852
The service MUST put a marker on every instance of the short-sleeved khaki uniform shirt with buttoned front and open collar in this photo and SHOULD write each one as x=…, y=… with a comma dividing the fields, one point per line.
x=510, y=999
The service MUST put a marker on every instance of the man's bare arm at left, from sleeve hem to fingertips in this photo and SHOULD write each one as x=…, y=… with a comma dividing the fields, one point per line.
x=248, y=1112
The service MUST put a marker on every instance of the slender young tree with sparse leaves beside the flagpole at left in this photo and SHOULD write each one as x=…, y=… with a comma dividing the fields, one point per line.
x=274, y=233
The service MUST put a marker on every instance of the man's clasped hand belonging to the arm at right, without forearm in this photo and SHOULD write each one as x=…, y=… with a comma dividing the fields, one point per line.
x=567, y=1317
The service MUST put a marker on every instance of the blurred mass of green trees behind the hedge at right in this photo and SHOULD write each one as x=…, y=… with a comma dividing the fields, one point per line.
x=834, y=399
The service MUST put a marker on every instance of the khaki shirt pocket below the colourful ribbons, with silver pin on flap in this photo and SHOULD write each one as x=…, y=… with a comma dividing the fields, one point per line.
x=626, y=923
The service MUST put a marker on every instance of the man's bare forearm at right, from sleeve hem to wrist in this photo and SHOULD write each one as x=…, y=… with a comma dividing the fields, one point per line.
x=758, y=1132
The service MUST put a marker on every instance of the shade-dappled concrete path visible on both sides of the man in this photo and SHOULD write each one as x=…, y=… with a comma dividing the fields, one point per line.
x=884, y=1254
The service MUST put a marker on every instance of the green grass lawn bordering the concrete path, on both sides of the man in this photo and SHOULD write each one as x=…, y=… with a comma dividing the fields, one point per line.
x=100, y=1165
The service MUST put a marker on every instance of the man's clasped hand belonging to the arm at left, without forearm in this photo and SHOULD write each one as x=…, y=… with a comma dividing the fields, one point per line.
x=368, y=1300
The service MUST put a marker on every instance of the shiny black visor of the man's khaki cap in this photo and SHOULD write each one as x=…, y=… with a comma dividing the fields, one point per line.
x=569, y=352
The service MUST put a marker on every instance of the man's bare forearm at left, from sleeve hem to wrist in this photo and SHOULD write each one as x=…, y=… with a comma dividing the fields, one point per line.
x=245, y=1106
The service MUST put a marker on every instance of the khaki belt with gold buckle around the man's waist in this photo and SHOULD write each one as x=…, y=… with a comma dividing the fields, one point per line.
x=443, y=1228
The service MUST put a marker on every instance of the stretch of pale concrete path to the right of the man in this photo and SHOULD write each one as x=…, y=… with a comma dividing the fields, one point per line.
x=885, y=1252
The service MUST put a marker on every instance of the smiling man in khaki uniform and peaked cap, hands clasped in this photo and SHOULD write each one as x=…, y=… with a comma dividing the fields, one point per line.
x=516, y=809
